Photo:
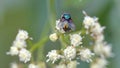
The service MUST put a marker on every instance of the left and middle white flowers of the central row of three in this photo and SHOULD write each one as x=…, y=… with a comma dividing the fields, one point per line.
x=69, y=53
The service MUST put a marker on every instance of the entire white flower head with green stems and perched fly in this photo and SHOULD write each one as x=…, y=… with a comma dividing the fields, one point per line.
x=74, y=45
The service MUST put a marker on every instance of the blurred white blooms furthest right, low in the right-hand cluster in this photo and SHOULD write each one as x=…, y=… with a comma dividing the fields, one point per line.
x=103, y=49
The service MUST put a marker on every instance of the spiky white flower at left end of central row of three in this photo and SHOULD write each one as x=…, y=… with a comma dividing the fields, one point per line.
x=53, y=56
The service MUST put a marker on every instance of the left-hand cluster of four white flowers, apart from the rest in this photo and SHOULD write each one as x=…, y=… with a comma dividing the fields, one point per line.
x=19, y=47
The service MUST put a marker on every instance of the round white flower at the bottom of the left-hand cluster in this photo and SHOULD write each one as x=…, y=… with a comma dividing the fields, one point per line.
x=24, y=55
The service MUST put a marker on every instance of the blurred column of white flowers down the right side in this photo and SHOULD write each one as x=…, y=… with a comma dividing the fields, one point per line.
x=101, y=48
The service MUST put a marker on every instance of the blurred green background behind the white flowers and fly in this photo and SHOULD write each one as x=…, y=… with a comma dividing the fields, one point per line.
x=37, y=17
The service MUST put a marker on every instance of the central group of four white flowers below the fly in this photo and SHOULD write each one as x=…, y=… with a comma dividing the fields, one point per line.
x=71, y=52
